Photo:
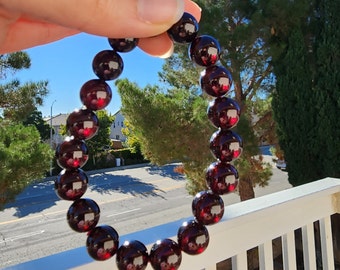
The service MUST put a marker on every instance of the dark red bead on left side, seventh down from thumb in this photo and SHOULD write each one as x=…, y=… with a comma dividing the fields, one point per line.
x=83, y=215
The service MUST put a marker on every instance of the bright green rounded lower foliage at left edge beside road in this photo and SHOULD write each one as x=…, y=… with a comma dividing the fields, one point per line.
x=23, y=159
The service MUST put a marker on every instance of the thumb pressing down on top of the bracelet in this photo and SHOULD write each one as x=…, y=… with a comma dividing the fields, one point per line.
x=110, y=18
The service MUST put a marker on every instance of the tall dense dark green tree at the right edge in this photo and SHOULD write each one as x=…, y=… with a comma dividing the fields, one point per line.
x=306, y=103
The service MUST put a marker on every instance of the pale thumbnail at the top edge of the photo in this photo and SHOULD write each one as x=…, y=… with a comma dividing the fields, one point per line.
x=160, y=11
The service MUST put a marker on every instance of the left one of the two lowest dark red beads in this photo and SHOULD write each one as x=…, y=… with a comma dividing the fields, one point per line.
x=132, y=255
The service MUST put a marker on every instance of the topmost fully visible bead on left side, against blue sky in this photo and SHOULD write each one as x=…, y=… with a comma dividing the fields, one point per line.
x=107, y=65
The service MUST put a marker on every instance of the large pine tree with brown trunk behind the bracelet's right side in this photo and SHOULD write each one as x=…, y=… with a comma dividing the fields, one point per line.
x=243, y=53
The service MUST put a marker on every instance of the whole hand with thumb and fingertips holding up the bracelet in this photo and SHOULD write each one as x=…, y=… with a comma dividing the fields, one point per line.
x=28, y=23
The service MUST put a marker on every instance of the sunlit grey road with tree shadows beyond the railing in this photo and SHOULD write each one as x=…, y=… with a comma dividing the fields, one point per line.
x=130, y=200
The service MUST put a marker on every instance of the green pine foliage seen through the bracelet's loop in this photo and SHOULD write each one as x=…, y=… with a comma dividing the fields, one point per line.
x=166, y=136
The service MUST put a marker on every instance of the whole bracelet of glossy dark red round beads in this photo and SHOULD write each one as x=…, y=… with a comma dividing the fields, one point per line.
x=208, y=207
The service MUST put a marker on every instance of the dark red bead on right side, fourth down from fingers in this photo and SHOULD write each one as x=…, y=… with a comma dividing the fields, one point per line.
x=224, y=112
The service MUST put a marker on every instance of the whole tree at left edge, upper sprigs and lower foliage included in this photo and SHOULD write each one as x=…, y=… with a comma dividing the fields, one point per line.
x=23, y=157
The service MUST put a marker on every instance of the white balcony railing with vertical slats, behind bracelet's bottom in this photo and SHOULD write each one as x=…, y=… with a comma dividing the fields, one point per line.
x=255, y=223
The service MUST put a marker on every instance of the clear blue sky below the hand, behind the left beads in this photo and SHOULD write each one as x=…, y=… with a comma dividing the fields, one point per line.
x=67, y=65
